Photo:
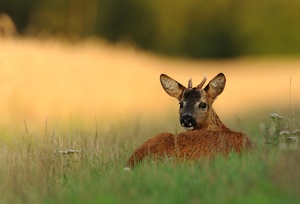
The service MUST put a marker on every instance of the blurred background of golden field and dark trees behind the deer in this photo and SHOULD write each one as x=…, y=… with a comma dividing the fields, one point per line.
x=102, y=58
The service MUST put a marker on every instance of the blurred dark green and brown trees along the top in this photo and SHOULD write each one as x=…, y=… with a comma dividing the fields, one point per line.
x=199, y=29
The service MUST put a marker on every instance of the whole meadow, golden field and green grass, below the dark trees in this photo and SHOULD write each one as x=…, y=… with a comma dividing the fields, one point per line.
x=103, y=101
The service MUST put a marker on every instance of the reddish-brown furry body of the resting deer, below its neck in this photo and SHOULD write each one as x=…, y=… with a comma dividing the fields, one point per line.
x=191, y=145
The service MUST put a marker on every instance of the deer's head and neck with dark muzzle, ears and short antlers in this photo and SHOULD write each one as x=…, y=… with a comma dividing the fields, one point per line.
x=195, y=103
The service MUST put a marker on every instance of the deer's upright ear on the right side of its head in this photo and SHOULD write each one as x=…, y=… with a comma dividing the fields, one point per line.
x=216, y=86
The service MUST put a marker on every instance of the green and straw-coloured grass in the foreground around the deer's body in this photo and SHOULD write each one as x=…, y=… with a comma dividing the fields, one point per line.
x=36, y=168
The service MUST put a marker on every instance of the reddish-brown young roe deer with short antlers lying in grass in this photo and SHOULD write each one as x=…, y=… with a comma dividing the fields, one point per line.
x=207, y=137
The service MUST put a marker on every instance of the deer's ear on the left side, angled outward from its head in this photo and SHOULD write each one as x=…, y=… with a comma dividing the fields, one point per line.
x=172, y=87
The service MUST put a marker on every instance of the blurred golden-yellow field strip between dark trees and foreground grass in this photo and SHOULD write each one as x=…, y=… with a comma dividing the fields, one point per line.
x=56, y=80
